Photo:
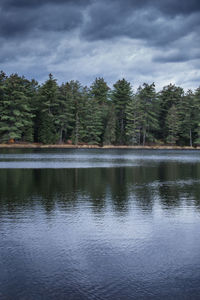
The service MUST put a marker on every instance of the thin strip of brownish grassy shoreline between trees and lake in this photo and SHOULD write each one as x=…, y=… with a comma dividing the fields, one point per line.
x=67, y=146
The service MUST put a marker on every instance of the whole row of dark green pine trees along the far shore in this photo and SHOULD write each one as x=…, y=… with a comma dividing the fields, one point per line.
x=71, y=113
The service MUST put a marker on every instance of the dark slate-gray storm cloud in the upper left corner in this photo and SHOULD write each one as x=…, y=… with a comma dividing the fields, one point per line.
x=19, y=17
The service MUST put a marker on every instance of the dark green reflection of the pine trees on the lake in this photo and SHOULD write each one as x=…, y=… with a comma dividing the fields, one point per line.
x=100, y=187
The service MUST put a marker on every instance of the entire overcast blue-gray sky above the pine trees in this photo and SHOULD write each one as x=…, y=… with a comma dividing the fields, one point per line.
x=141, y=40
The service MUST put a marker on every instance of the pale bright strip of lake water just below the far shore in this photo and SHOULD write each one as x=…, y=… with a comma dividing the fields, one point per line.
x=96, y=158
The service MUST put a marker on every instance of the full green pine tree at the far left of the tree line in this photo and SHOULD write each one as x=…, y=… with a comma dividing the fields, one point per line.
x=15, y=111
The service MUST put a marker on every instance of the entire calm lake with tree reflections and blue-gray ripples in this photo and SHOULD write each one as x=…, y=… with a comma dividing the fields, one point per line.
x=99, y=224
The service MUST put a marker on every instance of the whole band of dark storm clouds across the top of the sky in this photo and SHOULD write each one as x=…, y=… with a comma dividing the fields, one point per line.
x=157, y=22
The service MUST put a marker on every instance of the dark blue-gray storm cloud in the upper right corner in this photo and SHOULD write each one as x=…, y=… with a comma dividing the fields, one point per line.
x=157, y=22
